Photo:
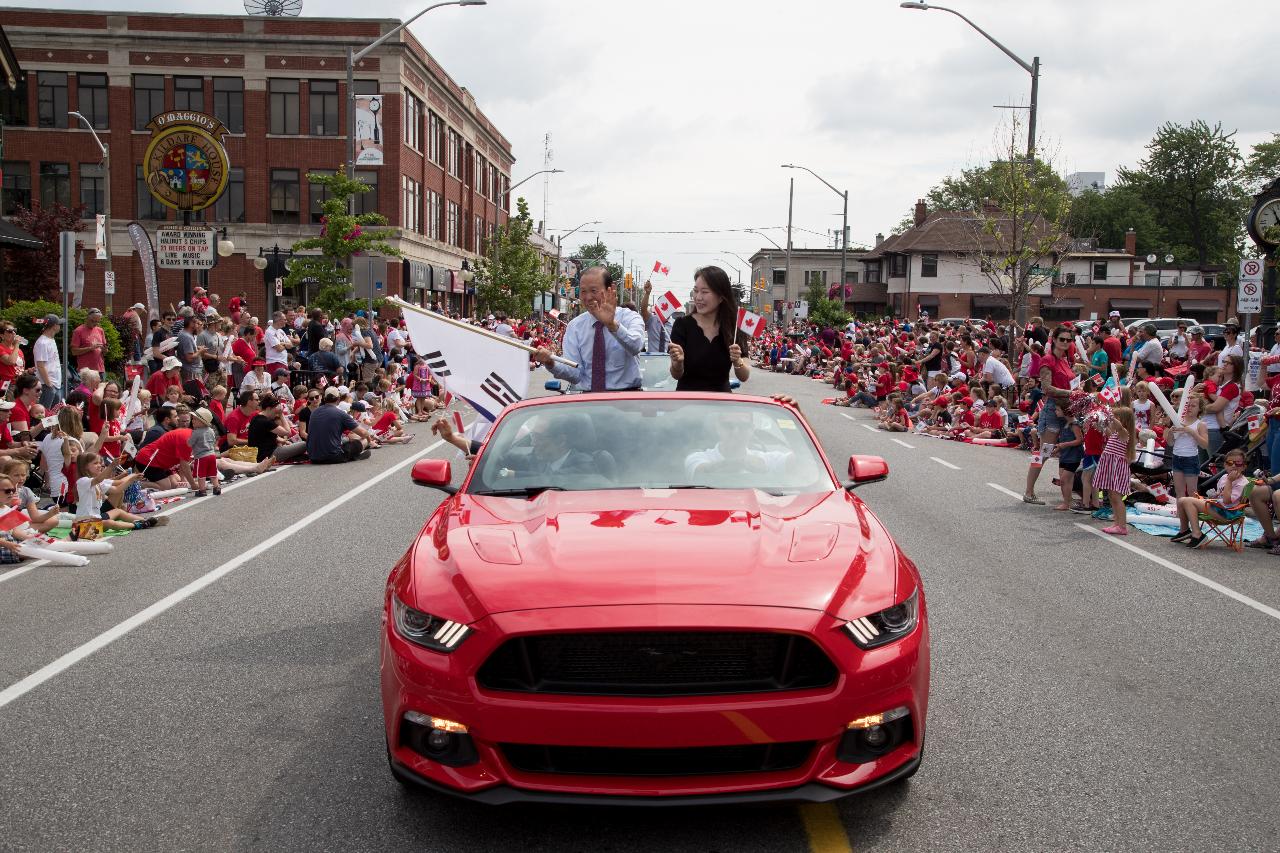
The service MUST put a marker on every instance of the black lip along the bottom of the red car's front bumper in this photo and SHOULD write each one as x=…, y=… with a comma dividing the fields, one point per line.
x=811, y=793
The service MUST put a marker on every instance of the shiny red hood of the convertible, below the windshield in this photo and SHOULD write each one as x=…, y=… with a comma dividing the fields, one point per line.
x=821, y=553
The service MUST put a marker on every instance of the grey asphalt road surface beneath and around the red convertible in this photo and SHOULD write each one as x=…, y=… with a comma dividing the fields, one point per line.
x=1085, y=696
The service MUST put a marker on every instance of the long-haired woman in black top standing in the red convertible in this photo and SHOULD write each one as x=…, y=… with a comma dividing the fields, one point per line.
x=705, y=344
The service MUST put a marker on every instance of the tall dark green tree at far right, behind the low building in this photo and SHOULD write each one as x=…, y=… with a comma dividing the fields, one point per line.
x=1192, y=177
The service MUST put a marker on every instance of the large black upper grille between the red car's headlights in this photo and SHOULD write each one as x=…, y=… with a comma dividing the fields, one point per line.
x=657, y=664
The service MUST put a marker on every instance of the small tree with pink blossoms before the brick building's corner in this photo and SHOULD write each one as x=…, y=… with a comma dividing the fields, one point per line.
x=342, y=235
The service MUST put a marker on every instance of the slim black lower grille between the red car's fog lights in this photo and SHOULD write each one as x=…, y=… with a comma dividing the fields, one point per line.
x=689, y=761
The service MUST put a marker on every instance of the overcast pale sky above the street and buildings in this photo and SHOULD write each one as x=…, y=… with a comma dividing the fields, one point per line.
x=676, y=115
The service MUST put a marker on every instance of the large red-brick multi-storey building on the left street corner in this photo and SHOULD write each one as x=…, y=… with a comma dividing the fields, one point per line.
x=280, y=88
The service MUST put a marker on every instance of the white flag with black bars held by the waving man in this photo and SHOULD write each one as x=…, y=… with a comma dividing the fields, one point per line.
x=487, y=373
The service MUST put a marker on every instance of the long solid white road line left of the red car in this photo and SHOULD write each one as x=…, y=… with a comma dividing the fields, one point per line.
x=112, y=635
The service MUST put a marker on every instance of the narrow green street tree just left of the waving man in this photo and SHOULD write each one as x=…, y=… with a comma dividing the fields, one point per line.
x=510, y=275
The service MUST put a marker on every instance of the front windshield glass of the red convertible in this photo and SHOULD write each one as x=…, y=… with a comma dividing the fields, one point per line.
x=660, y=444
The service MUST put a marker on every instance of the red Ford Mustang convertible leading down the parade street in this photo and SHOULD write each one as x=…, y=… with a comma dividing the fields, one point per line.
x=653, y=599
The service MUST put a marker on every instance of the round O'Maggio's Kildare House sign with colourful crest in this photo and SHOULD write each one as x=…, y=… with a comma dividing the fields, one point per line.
x=186, y=166
